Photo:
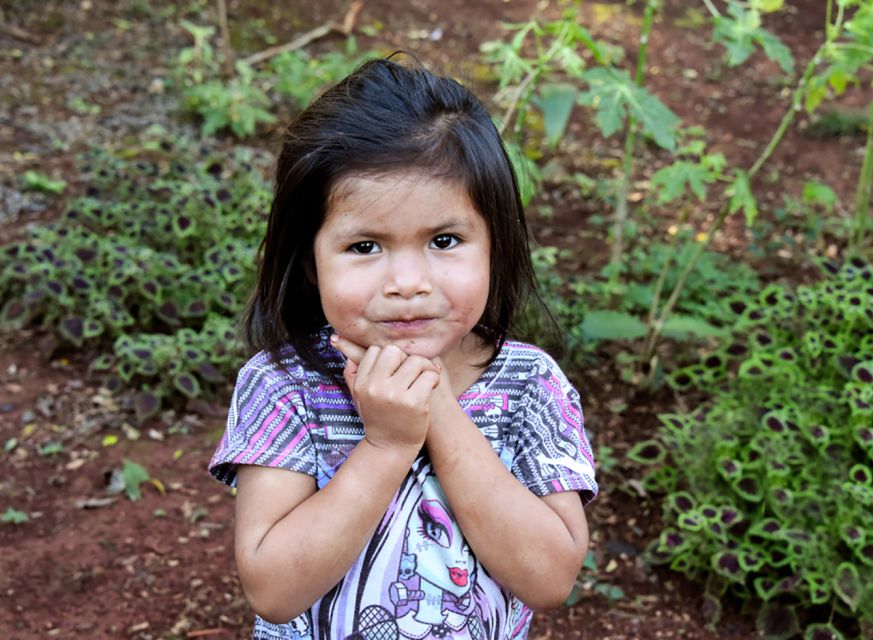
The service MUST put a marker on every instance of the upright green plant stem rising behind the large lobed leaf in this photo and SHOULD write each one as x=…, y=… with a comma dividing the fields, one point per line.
x=627, y=165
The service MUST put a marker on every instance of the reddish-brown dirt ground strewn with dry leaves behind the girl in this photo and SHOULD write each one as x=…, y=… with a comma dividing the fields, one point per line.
x=90, y=563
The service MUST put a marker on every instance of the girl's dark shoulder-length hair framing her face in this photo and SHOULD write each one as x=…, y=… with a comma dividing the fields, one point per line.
x=384, y=117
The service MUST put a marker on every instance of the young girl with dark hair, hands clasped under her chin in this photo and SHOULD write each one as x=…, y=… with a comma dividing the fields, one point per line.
x=403, y=469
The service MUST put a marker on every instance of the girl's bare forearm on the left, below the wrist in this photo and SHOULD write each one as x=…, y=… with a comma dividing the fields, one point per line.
x=308, y=551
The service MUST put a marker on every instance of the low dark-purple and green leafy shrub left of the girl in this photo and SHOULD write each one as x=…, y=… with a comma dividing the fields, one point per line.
x=150, y=267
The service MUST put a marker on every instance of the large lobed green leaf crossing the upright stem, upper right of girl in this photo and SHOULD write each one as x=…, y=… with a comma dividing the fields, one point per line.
x=616, y=97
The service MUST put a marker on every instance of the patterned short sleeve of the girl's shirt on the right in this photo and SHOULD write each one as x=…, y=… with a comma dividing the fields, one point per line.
x=553, y=453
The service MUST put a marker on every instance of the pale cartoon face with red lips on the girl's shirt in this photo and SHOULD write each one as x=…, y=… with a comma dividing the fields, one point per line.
x=442, y=555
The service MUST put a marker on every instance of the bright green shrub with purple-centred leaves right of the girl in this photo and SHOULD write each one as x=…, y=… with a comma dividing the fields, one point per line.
x=770, y=483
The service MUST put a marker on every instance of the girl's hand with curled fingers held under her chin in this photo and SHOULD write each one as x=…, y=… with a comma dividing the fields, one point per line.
x=391, y=391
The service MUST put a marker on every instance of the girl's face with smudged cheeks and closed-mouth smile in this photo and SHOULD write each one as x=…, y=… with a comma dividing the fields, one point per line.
x=404, y=259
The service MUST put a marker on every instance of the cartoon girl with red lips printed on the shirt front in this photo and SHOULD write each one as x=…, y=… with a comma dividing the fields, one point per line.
x=433, y=595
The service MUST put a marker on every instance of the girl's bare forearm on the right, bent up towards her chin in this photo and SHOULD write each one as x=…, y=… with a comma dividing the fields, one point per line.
x=524, y=543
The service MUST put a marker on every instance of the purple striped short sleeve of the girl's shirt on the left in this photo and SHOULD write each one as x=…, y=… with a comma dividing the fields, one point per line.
x=267, y=424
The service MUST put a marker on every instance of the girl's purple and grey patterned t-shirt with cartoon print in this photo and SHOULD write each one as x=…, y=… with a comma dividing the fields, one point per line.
x=416, y=578
